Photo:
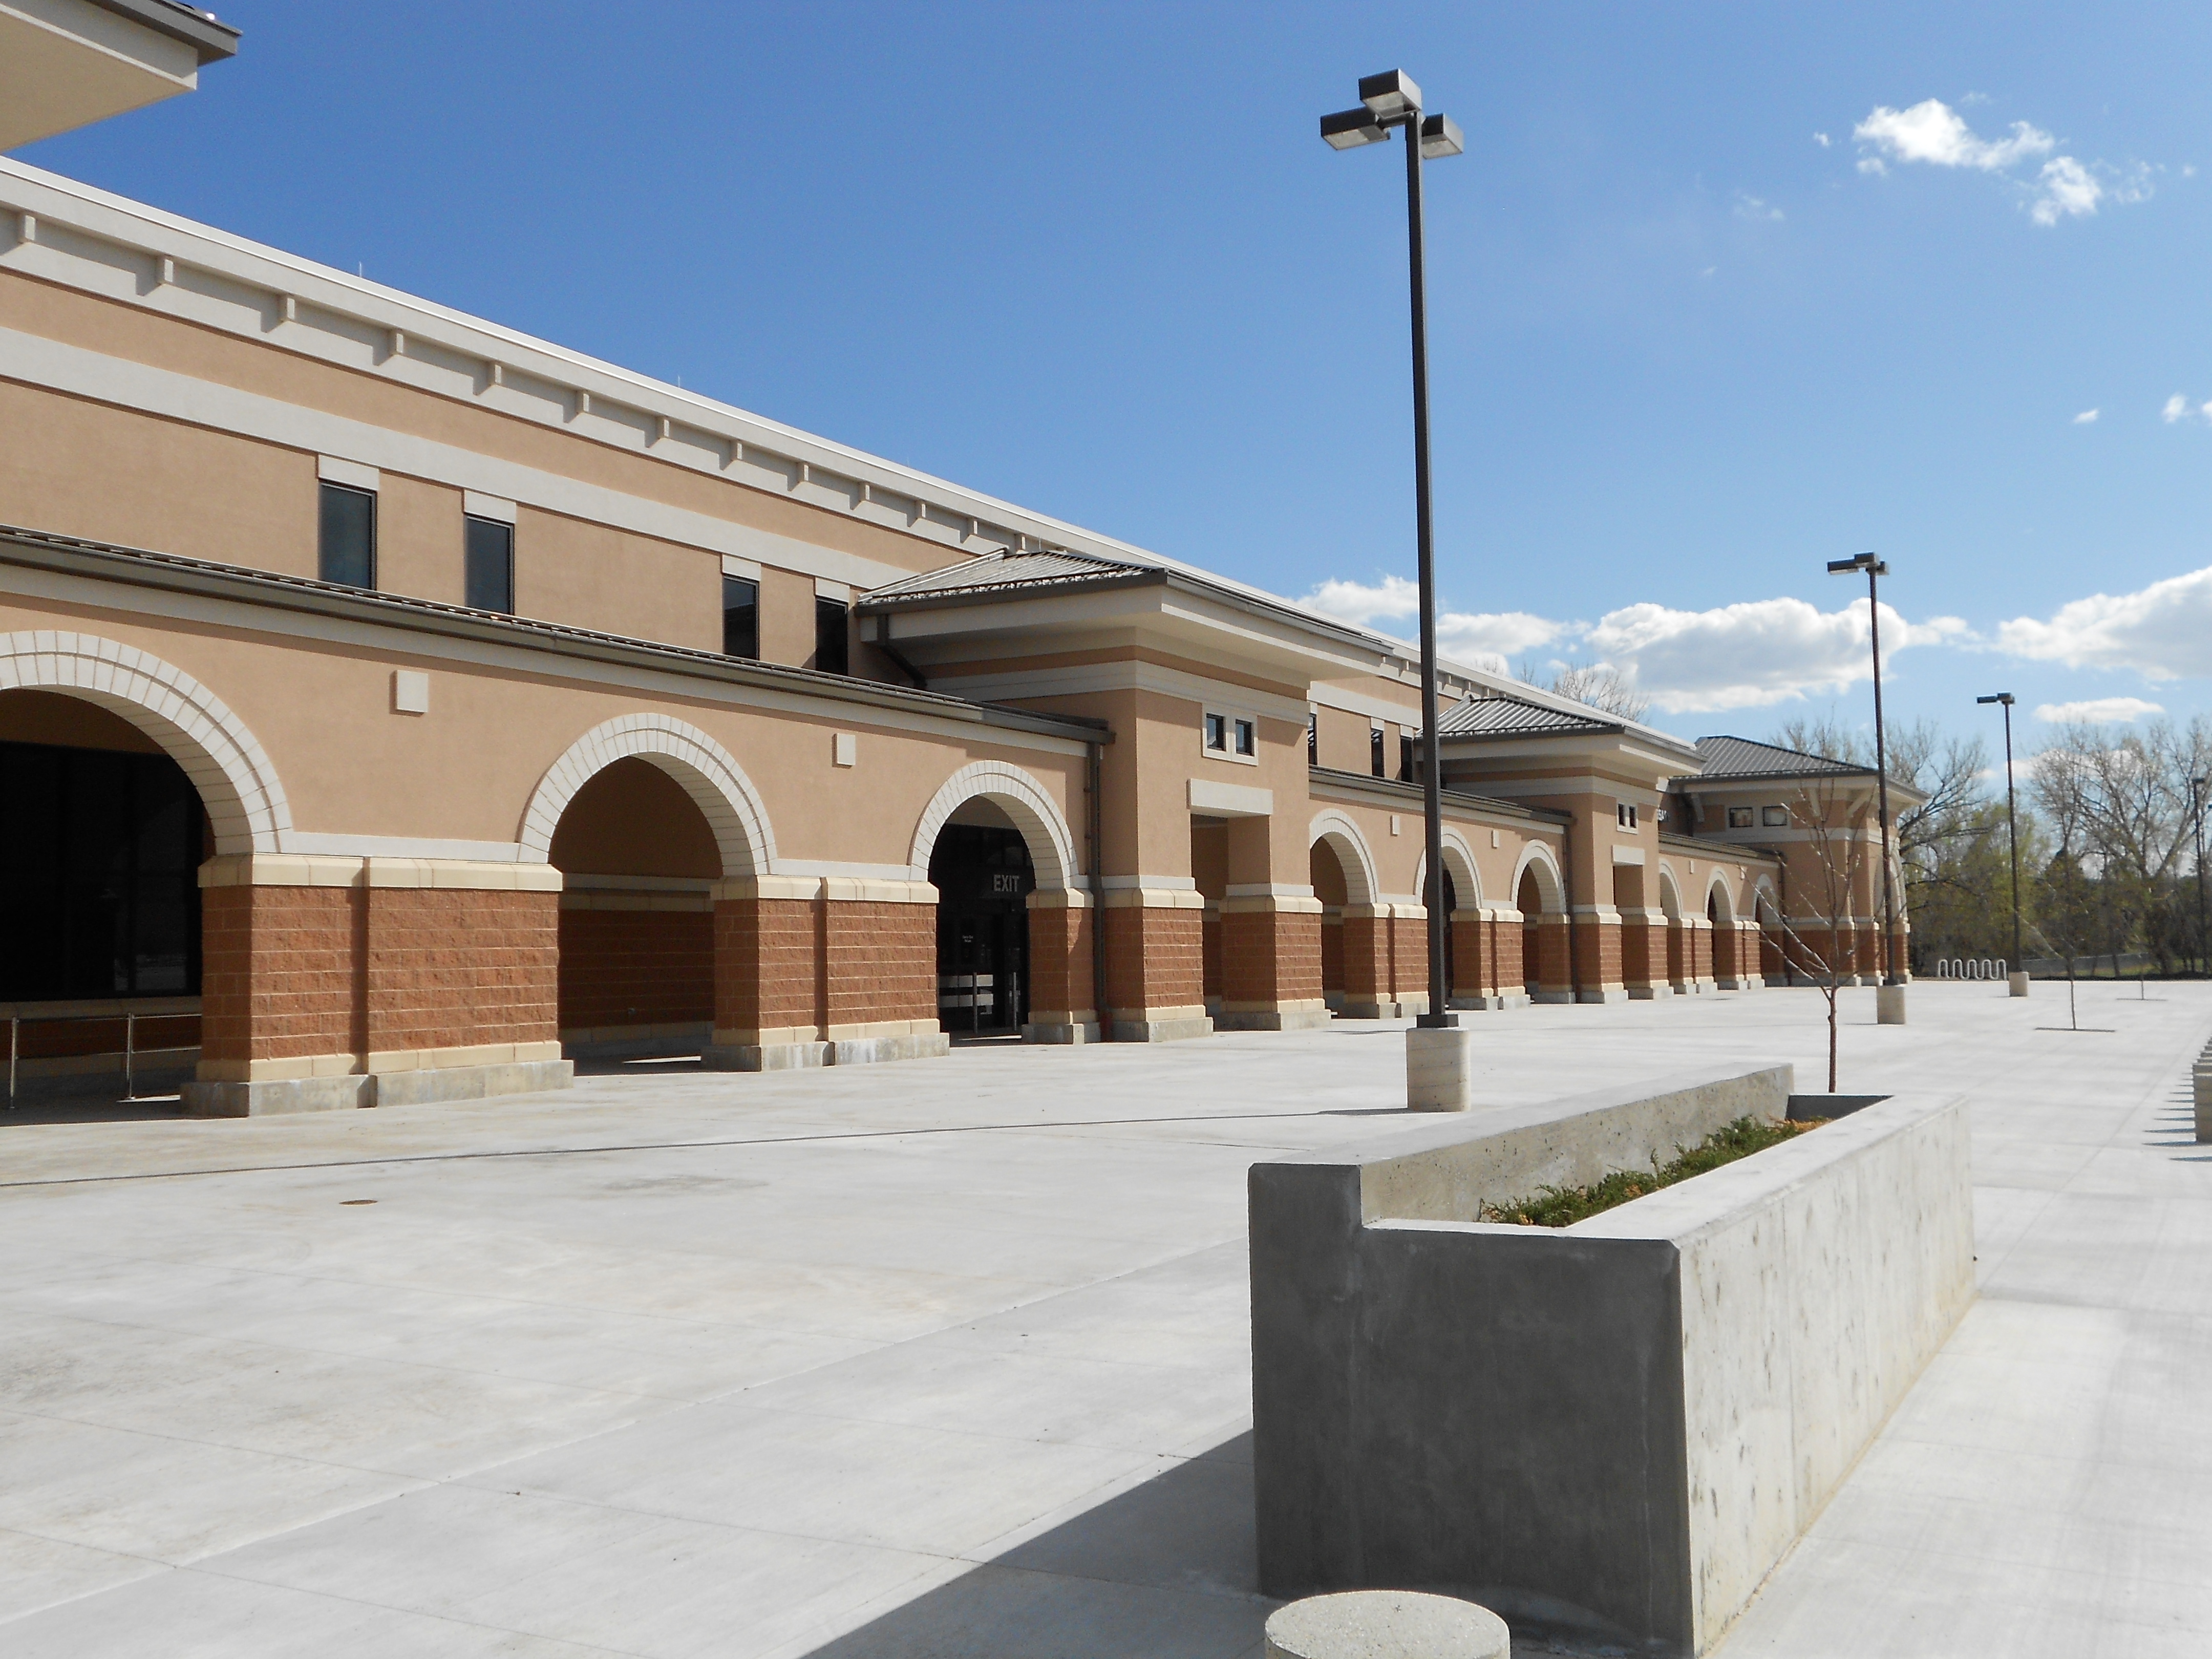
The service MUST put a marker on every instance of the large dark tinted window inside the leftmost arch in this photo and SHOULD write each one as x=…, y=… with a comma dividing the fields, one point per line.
x=98, y=875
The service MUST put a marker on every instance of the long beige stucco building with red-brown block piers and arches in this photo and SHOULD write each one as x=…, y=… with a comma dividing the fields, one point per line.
x=395, y=707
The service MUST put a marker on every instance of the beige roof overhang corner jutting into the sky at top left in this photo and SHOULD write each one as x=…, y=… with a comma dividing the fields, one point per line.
x=72, y=63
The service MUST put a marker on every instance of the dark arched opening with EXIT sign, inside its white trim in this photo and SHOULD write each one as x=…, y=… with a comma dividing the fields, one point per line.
x=985, y=875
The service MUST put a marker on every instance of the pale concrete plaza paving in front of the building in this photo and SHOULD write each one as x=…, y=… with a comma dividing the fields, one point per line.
x=952, y=1357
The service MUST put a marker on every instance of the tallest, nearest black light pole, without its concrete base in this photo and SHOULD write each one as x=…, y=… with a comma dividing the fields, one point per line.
x=1392, y=101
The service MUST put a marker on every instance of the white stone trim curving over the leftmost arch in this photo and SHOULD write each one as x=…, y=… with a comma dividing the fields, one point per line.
x=236, y=778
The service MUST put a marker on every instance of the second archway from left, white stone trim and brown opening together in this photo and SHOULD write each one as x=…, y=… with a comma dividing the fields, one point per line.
x=643, y=817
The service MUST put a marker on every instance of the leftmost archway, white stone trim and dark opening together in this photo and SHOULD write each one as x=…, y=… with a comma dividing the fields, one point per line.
x=121, y=775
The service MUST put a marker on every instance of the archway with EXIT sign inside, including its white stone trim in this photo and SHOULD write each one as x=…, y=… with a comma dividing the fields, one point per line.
x=990, y=842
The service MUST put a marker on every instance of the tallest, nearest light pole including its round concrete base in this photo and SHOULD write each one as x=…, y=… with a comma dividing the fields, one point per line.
x=1439, y=1074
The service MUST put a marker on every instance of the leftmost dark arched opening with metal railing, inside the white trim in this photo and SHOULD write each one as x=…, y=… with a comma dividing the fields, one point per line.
x=103, y=835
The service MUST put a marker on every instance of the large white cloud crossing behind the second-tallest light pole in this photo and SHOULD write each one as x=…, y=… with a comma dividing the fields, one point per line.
x=1751, y=656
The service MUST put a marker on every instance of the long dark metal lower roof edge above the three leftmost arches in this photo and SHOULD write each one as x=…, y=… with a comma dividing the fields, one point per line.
x=278, y=592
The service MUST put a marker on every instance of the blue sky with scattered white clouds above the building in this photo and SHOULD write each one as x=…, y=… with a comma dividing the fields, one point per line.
x=1718, y=293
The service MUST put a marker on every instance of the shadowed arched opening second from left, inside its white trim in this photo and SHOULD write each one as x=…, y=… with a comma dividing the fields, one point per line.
x=638, y=866
